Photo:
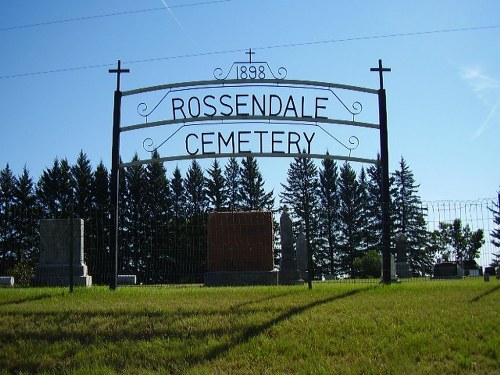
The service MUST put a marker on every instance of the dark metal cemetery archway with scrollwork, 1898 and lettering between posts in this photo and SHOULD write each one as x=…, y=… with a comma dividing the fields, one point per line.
x=224, y=109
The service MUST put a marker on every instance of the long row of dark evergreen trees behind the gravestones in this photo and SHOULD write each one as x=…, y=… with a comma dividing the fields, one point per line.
x=162, y=230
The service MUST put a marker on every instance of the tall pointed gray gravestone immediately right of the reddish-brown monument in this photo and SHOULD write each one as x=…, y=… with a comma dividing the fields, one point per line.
x=288, y=274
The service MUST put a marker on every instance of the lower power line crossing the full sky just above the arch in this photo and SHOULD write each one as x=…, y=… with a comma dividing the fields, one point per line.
x=288, y=45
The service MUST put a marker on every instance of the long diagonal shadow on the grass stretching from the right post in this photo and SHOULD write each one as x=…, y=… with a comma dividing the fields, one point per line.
x=252, y=332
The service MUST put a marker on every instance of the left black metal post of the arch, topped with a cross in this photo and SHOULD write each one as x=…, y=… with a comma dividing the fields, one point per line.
x=115, y=175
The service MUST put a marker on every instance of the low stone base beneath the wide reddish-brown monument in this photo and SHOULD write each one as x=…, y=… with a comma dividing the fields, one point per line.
x=241, y=278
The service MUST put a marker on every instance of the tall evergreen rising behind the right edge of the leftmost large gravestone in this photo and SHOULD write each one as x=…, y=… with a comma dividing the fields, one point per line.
x=82, y=182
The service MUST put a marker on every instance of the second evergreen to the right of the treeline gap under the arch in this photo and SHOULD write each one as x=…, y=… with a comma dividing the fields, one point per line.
x=329, y=210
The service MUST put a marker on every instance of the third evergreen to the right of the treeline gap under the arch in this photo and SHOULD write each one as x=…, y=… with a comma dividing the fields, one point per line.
x=351, y=219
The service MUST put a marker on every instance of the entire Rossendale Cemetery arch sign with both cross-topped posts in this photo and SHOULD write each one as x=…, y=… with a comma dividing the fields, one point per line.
x=276, y=117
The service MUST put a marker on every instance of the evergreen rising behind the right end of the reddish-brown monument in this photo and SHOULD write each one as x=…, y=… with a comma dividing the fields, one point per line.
x=251, y=194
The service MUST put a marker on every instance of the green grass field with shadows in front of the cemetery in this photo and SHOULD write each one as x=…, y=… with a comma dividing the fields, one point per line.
x=434, y=327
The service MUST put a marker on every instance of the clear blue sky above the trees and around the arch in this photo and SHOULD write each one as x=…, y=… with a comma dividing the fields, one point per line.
x=443, y=93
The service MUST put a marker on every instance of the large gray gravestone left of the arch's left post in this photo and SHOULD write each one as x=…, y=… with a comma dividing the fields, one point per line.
x=56, y=237
